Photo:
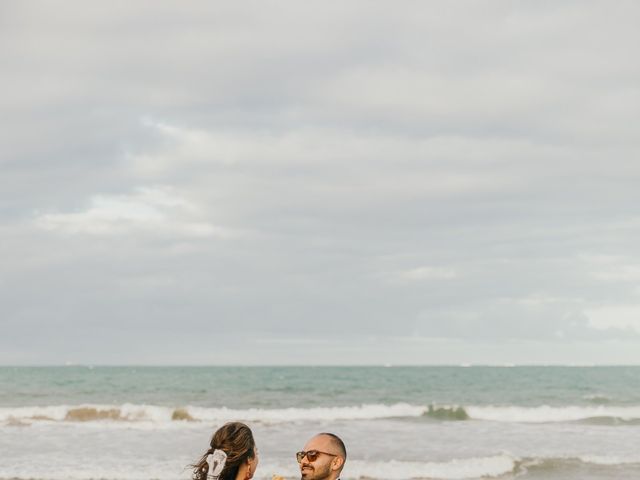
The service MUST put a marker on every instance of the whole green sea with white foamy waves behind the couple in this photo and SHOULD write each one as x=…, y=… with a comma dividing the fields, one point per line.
x=130, y=423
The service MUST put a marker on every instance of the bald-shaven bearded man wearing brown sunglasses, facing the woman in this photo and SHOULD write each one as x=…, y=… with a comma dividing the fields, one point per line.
x=322, y=458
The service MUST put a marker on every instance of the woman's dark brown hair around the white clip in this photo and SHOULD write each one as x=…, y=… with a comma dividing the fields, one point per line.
x=236, y=440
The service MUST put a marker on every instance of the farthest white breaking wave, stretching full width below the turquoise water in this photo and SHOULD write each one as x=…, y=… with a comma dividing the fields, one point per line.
x=598, y=415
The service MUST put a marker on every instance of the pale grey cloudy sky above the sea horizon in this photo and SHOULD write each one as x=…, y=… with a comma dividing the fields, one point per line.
x=363, y=182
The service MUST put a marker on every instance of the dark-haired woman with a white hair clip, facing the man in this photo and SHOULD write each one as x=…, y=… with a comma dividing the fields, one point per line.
x=233, y=455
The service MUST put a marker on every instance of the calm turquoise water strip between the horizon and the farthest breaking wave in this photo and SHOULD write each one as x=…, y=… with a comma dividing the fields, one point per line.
x=247, y=387
